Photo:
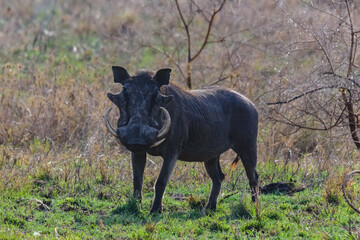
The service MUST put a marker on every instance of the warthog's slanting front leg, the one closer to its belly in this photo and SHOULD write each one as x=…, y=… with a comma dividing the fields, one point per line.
x=166, y=170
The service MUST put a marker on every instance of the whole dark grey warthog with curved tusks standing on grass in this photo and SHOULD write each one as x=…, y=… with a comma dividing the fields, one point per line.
x=162, y=119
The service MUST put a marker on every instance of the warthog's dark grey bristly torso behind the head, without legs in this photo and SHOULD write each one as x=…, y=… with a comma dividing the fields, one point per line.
x=213, y=119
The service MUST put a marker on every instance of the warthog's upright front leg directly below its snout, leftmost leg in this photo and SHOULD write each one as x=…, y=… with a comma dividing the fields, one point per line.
x=138, y=166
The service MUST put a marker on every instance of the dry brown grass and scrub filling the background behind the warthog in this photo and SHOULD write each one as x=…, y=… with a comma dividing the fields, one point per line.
x=56, y=59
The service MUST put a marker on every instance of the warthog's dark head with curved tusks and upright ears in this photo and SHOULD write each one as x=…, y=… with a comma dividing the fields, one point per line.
x=143, y=123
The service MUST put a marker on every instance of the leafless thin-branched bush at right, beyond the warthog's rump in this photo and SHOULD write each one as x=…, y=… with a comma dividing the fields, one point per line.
x=317, y=88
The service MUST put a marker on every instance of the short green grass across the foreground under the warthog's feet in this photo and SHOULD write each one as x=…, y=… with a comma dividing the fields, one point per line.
x=91, y=210
